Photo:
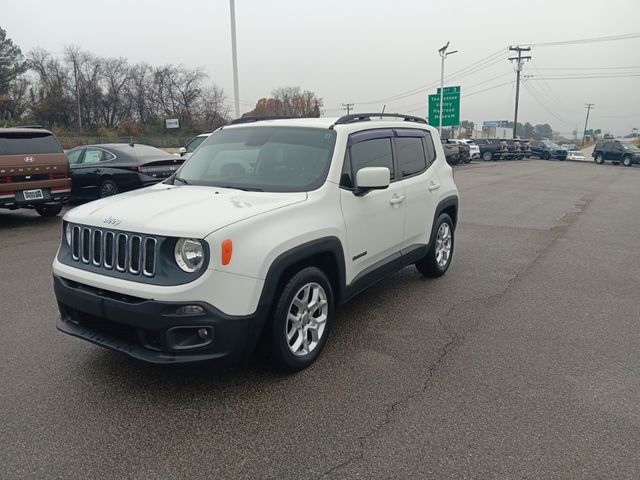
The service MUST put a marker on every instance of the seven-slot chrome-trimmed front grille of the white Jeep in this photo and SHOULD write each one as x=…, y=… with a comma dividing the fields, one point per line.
x=131, y=253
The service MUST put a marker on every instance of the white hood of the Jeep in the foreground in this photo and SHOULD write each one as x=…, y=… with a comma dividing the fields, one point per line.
x=179, y=211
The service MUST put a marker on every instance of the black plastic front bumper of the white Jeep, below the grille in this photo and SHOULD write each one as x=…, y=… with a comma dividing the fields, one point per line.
x=151, y=330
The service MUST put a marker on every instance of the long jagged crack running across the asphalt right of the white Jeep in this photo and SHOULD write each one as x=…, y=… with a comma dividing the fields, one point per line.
x=455, y=339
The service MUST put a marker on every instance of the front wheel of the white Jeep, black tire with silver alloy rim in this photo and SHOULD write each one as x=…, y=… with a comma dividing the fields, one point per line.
x=288, y=340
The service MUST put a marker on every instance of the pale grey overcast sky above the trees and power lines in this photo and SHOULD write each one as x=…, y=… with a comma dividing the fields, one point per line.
x=365, y=51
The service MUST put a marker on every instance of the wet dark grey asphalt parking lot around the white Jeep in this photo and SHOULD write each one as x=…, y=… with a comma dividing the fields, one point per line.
x=522, y=362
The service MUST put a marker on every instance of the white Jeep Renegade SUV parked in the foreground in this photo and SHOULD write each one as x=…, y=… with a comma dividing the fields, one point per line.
x=259, y=237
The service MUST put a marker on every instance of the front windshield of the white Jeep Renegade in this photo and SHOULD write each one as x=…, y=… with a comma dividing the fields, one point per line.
x=273, y=159
